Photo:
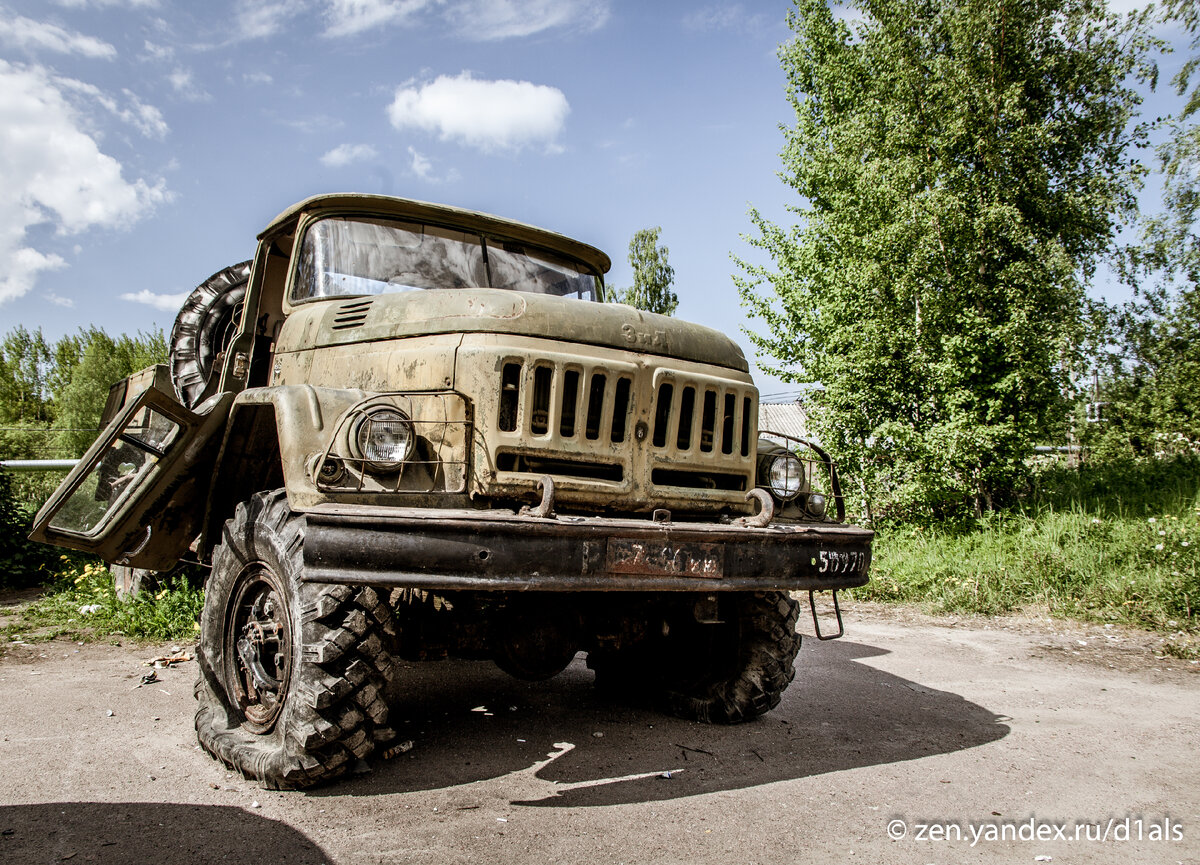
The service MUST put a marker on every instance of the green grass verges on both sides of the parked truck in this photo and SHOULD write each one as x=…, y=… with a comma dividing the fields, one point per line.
x=1108, y=544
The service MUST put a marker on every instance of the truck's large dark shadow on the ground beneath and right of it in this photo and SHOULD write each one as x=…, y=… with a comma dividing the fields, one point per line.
x=561, y=744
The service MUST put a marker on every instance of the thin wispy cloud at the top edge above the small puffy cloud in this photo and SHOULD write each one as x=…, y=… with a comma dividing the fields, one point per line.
x=489, y=21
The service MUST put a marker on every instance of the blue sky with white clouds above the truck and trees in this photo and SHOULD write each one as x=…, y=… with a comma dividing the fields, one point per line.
x=146, y=143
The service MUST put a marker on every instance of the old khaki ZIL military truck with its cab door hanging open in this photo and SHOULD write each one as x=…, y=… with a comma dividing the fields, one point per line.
x=409, y=431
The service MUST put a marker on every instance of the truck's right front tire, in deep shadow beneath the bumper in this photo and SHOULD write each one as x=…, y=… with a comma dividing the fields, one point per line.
x=722, y=674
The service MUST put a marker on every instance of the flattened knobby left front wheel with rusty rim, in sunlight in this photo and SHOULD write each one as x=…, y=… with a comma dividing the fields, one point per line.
x=322, y=652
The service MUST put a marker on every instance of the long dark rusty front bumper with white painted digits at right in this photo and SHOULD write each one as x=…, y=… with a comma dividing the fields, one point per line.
x=502, y=551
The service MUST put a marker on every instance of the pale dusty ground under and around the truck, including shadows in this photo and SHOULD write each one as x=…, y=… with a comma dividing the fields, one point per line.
x=893, y=743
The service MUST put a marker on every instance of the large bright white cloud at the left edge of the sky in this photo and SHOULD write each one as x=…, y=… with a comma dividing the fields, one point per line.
x=53, y=172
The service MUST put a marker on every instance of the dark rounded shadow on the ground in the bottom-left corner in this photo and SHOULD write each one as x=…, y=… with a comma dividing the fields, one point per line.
x=123, y=833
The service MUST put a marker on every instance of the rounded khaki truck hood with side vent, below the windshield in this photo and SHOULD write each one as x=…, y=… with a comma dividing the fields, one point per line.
x=349, y=321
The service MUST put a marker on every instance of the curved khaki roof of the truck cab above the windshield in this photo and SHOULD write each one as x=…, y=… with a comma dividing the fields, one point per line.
x=388, y=207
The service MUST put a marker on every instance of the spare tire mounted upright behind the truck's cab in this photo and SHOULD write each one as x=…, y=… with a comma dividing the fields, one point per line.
x=203, y=331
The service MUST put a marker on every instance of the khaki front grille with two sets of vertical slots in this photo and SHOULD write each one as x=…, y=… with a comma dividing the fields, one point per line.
x=578, y=419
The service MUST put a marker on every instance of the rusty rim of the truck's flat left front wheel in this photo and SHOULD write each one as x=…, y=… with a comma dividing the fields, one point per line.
x=259, y=647
